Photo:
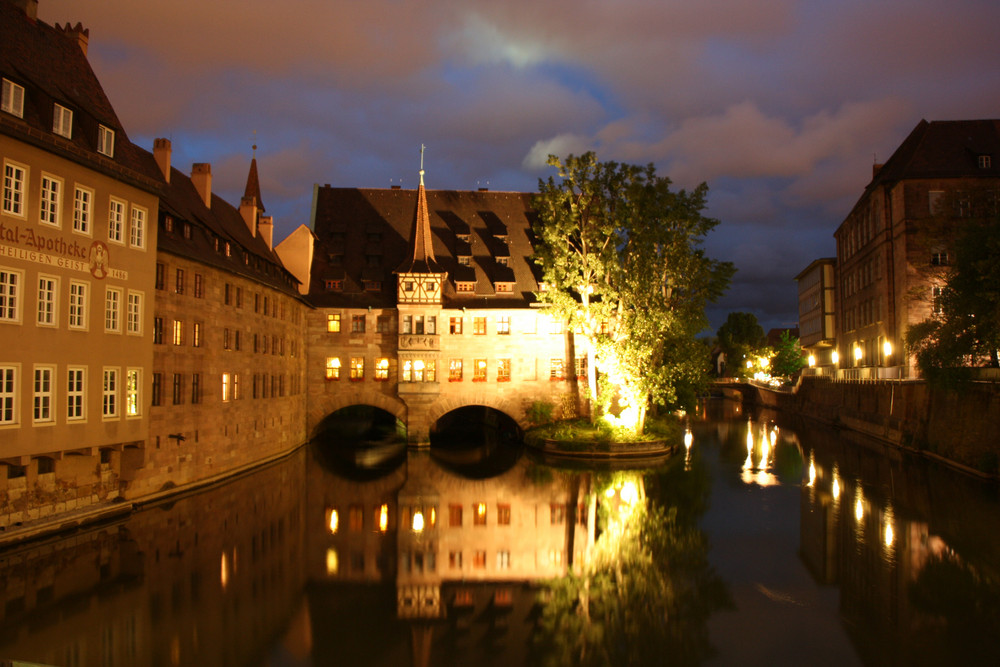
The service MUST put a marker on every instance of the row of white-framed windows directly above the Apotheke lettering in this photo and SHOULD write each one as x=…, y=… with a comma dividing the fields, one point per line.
x=123, y=218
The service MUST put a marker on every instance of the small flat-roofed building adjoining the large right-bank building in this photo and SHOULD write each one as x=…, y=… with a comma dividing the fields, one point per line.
x=817, y=313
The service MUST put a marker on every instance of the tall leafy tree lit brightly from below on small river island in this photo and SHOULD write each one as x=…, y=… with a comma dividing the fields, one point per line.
x=622, y=263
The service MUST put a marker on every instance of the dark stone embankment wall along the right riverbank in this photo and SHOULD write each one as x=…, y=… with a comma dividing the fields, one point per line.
x=957, y=426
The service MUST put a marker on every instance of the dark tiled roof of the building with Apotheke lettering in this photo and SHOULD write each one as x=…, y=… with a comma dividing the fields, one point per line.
x=49, y=63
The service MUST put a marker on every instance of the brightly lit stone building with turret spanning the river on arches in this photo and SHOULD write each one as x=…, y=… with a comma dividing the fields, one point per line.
x=425, y=302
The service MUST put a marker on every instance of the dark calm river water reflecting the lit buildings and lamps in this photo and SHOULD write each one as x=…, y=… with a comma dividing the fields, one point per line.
x=767, y=542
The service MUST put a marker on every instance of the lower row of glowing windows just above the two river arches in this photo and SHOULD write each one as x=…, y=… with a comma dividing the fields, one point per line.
x=425, y=370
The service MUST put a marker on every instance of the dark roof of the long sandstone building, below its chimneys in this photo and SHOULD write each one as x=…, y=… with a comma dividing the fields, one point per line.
x=211, y=229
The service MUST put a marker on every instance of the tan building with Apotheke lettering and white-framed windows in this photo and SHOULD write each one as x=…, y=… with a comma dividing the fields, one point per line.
x=77, y=263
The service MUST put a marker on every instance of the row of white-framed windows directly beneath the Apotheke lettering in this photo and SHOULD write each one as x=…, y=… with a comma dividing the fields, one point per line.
x=48, y=293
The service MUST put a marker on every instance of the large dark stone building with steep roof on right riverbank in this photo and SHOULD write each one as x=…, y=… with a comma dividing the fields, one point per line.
x=888, y=272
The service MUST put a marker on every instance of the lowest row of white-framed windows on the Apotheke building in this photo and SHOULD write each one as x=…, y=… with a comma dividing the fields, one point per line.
x=55, y=397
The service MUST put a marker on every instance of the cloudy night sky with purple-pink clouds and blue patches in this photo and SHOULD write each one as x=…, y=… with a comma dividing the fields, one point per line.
x=780, y=106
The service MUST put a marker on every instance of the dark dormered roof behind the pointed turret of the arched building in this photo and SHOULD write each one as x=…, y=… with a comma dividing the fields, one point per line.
x=365, y=234
